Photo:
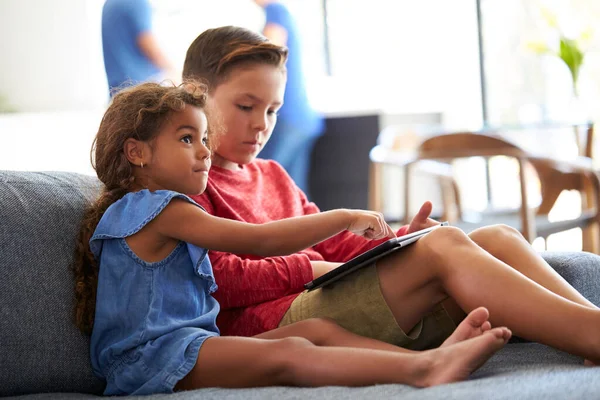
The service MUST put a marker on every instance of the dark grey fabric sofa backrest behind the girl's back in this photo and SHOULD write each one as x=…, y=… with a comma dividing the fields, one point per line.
x=41, y=350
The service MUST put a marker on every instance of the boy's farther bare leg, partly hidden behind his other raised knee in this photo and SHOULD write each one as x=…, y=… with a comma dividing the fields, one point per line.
x=508, y=245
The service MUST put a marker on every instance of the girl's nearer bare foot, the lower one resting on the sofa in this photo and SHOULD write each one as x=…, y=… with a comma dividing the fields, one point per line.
x=456, y=362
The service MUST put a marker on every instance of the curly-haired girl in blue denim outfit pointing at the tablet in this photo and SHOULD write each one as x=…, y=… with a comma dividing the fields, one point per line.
x=144, y=284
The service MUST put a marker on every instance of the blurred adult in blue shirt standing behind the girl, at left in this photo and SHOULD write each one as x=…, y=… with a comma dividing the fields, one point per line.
x=131, y=52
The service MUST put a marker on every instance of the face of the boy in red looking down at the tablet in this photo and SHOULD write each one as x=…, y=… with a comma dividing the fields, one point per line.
x=247, y=101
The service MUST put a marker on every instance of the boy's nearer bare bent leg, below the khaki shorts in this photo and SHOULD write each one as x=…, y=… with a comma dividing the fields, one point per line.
x=447, y=263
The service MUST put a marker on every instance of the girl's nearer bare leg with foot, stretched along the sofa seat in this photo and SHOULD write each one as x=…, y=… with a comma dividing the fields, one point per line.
x=252, y=362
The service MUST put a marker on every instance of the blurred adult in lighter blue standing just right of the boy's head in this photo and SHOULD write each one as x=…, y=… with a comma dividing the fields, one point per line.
x=298, y=125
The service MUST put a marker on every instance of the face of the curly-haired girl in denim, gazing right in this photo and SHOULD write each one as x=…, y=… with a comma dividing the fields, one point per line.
x=179, y=159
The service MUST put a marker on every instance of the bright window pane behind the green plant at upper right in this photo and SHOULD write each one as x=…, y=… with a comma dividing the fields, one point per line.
x=523, y=86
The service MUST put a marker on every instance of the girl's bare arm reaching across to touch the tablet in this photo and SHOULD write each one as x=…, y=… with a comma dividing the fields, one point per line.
x=184, y=221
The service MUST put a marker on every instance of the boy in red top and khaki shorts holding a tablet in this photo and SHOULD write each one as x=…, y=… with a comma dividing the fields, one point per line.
x=411, y=298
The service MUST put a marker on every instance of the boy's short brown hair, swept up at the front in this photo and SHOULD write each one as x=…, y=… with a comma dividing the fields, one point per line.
x=216, y=51
